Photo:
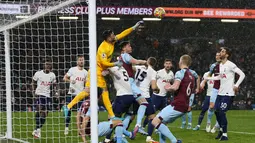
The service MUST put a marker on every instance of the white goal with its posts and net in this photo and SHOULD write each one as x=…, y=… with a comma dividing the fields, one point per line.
x=27, y=43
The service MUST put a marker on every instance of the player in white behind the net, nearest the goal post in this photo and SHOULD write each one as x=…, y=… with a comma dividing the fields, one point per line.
x=76, y=76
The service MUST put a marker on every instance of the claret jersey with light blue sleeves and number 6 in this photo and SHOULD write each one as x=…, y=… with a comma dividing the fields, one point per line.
x=181, y=100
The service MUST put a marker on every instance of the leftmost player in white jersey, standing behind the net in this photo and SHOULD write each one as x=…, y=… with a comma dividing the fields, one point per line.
x=44, y=79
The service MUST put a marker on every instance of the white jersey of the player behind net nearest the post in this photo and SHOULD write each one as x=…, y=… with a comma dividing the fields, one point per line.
x=80, y=77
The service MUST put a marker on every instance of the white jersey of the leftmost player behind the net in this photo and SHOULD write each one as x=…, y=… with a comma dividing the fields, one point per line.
x=44, y=81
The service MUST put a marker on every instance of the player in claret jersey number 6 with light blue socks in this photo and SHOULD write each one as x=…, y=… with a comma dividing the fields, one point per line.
x=183, y=84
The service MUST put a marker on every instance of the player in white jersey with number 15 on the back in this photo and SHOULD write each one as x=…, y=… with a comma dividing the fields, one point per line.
x=145, y=78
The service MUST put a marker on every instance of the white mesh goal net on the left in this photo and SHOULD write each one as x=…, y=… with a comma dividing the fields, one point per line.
x=38, y=30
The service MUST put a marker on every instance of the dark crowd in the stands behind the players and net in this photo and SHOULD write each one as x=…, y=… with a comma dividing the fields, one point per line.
x=197, y=42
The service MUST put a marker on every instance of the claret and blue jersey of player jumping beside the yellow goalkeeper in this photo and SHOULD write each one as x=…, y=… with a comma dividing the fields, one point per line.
x=125, y=58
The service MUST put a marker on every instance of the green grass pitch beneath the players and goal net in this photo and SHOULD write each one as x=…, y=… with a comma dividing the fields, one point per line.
x=241, y=129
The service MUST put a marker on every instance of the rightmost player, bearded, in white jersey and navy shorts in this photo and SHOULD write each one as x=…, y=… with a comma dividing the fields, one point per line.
x=227, y=90
